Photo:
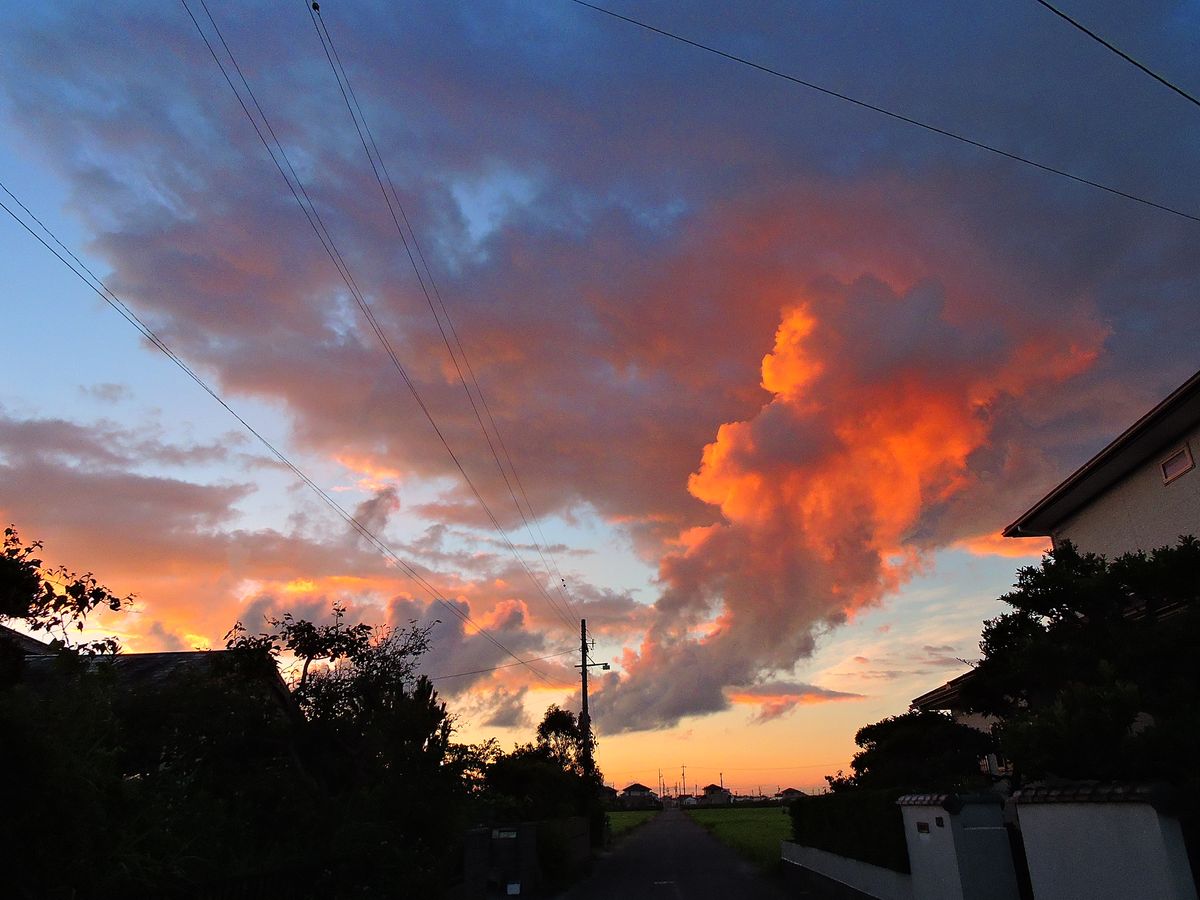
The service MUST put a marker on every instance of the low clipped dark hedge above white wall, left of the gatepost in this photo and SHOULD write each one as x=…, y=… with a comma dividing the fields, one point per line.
x=861, y=825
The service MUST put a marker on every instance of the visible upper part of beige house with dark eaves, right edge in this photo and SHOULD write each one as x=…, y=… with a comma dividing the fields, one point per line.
x=1139, y=493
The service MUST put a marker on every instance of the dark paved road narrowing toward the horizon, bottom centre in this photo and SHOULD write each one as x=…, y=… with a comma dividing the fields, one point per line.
x=674, y=859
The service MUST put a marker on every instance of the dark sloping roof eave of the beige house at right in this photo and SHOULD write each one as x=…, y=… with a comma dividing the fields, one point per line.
x=1150, y=435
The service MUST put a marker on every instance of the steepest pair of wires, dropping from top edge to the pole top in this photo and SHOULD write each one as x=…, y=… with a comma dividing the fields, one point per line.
x=410, y=242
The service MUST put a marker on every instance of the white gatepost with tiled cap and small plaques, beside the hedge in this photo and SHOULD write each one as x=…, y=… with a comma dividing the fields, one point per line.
x=959, y=848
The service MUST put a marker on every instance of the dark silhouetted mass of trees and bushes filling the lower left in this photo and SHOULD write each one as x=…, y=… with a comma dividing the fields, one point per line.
x=203, y=776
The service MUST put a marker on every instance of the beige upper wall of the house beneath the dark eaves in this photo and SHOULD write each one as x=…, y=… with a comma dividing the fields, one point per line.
x=1141, y=513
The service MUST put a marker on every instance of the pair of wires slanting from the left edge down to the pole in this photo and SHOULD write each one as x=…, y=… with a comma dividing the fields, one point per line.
x=98, y=285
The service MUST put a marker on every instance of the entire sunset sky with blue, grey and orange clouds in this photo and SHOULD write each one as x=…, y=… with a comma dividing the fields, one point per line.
x=747, y=376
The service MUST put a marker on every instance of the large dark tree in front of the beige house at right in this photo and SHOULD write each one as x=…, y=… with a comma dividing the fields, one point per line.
x=1095, y=671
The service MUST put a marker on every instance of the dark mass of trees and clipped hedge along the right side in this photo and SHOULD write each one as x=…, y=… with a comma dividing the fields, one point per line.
x=1093, y=675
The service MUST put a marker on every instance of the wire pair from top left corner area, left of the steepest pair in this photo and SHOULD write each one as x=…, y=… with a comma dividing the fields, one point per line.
x=314, y=217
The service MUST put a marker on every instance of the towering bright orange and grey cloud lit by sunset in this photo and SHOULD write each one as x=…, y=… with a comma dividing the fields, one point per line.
x=833, y=495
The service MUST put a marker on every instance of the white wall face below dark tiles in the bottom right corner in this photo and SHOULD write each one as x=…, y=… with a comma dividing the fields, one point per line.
x=1105, y=851
